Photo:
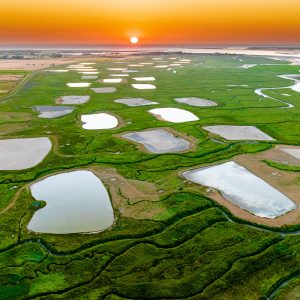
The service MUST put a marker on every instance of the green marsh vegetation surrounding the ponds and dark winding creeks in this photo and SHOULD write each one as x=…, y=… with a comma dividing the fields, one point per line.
x=192, y=249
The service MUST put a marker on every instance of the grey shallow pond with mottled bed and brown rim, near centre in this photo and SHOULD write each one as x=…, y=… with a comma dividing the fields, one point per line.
x=158, y=141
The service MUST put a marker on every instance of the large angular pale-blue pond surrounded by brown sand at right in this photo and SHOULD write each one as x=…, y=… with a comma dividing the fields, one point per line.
x=243, y=189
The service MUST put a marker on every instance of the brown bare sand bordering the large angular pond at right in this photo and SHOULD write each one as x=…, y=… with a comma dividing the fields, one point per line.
x=284, y=181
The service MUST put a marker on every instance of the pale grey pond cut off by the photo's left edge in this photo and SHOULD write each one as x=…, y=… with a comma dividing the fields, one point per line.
x=19, y=154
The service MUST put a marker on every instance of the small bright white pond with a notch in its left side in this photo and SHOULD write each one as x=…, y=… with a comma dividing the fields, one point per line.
x=99, y=121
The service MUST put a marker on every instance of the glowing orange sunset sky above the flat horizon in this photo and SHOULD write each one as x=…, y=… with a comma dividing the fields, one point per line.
x=153, y=21
